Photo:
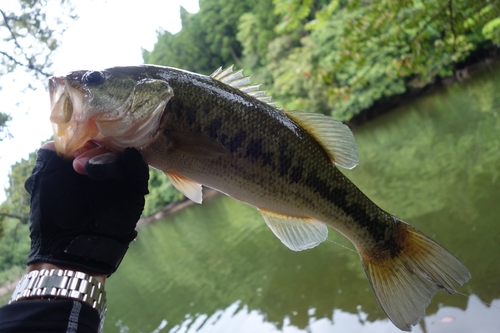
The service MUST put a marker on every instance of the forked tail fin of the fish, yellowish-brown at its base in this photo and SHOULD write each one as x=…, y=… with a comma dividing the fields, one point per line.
x=405, y=283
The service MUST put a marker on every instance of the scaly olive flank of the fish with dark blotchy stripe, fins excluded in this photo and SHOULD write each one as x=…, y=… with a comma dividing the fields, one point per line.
x=293, y=169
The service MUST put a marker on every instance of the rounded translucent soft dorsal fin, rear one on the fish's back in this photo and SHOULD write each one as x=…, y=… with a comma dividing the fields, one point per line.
x=335, y=137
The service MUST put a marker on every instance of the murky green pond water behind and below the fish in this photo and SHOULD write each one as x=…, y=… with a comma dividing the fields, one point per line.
x=217, y=268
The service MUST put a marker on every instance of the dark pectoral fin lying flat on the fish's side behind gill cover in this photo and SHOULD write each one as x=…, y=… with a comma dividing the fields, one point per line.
x=196, y=144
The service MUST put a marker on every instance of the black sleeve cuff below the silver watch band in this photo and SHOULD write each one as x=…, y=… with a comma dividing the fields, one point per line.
x=42, y=316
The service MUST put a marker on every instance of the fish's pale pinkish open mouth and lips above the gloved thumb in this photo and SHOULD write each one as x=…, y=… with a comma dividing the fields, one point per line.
x=70, y=125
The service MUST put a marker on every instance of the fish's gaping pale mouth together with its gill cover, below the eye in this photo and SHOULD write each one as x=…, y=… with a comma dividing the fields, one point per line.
x=82, y=113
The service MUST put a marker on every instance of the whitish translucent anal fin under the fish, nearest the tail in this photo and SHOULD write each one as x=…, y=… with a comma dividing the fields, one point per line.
x=297, y=233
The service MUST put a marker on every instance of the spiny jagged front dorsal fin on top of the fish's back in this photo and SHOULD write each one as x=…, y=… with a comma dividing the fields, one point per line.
x=239, y=81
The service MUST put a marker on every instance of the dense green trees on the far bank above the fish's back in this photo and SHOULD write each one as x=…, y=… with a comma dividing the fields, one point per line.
x=334, y=57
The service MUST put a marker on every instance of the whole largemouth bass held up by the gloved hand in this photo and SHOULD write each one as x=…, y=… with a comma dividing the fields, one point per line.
x=223, y=132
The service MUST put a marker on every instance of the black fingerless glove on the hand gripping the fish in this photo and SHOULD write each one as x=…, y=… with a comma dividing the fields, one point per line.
x=86, y=221
